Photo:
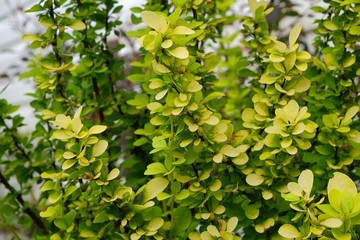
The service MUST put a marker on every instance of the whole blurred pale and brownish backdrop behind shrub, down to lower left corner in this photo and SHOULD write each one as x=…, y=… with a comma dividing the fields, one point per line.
x=14, y=53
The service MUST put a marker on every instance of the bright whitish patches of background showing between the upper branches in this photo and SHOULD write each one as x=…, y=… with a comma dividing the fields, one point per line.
x=14, y=23
